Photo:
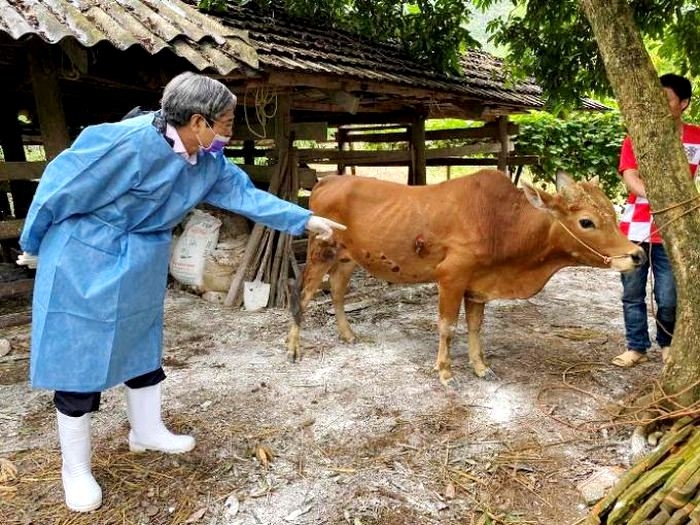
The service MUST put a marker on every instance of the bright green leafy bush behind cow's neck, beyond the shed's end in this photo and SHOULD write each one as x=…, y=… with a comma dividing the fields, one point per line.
x=584, y=145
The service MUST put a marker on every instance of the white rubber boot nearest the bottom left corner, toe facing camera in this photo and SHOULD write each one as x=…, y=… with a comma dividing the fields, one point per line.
x=82, y=492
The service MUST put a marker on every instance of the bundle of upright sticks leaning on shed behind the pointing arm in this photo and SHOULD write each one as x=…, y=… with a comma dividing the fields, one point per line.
x=268, y=254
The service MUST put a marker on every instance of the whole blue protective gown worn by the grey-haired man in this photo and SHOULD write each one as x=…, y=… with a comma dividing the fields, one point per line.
x=101, y=223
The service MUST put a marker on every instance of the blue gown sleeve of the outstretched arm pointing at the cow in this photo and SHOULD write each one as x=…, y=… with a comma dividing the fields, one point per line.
x=235, y=192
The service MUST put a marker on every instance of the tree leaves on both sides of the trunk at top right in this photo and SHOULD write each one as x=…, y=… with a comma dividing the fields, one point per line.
x=557, y=46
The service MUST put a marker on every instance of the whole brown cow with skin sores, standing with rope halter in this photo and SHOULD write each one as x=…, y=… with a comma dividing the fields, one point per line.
x=479, y=238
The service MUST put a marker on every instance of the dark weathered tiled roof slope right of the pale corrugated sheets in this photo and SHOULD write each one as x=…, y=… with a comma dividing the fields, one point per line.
x=285, y=44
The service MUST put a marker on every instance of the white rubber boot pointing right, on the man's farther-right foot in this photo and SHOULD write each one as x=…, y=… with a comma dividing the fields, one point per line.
x=147, y=429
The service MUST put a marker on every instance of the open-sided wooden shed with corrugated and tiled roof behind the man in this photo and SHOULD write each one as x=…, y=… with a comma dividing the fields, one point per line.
x=70, y=63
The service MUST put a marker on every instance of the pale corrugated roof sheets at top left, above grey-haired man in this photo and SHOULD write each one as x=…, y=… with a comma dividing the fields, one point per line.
x=152, y=24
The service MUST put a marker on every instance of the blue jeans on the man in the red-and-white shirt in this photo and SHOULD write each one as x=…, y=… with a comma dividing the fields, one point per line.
x=634, y=306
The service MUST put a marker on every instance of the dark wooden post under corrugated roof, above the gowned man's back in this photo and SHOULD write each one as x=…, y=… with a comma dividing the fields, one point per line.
x=47, y=95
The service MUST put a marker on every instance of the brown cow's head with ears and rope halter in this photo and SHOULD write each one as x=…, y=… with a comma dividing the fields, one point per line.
x=588, y=228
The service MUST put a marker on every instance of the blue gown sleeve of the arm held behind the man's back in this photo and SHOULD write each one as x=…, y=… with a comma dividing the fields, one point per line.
x=93, y=172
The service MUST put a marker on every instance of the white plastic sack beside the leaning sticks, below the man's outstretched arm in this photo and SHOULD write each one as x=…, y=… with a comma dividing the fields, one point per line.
x=198, y=240
